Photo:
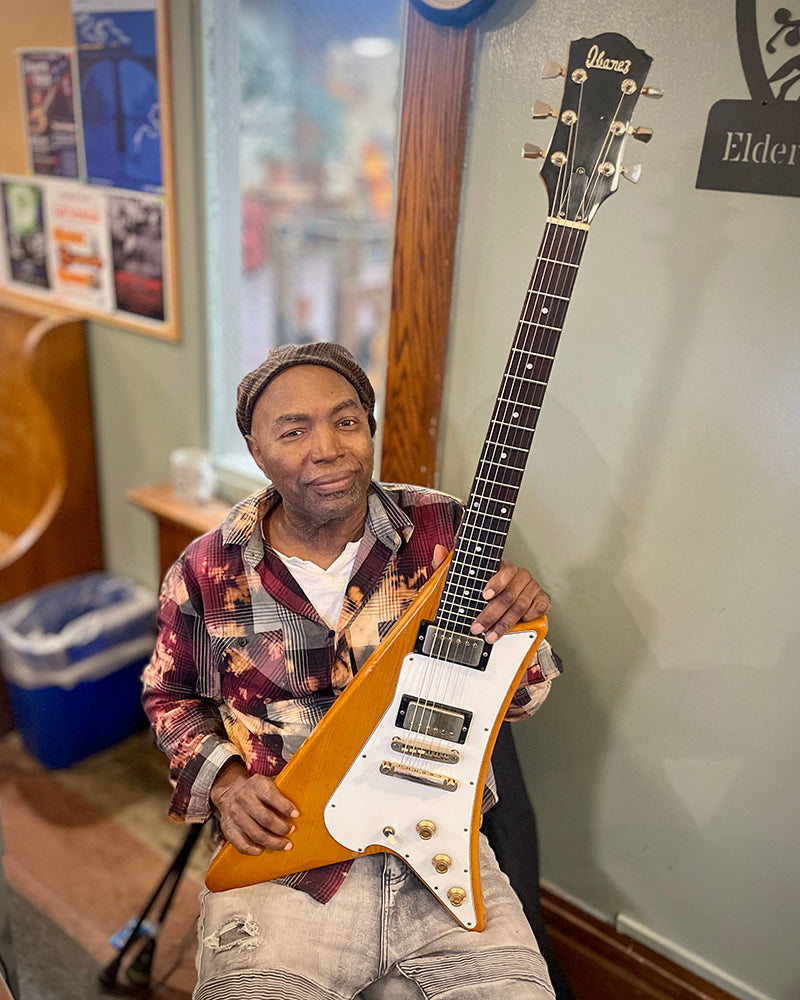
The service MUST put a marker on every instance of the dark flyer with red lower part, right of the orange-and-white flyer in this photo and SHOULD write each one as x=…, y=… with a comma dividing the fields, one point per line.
x=137, y=245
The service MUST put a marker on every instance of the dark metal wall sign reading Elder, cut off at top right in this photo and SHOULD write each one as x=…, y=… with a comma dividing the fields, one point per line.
x=754, y=145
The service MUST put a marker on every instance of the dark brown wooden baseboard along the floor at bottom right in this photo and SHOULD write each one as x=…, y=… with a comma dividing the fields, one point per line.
x=602, y=964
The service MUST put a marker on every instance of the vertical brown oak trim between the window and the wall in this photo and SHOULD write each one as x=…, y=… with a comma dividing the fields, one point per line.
x=433, y=131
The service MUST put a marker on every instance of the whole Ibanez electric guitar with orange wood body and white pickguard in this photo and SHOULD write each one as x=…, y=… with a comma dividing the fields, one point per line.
x=398, y=763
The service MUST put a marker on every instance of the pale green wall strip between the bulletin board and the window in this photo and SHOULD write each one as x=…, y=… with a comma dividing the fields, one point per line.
x=149, y=396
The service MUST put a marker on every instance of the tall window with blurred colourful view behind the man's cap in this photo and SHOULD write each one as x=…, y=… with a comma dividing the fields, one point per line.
x=301, y=108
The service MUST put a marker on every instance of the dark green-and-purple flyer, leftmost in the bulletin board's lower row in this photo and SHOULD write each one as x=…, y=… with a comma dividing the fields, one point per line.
x=25, y=248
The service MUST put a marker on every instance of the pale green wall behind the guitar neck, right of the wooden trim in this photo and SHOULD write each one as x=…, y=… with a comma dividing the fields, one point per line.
x=661, y=504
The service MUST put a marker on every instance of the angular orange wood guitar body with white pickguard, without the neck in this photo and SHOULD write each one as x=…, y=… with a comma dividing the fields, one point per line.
x=357, y=795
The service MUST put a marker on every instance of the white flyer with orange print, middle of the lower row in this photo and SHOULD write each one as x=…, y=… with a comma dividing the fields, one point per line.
x=80, y=259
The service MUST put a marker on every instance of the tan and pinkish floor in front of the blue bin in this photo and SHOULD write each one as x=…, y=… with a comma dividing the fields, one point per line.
x=87, y=846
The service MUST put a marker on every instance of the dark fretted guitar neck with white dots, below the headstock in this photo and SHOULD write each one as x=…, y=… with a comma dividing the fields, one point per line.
x=495, y=488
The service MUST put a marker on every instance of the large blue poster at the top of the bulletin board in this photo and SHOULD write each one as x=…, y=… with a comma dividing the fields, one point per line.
x=119, y=91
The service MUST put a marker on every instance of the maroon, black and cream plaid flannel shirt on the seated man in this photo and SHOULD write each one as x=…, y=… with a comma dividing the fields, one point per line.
x=245, y=667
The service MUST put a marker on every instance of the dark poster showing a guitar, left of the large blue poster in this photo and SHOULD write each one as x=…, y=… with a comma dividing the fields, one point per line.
x=51, y=121
